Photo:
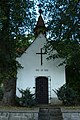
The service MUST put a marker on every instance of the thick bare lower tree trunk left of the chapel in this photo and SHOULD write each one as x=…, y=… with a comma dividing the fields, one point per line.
x=9, y=92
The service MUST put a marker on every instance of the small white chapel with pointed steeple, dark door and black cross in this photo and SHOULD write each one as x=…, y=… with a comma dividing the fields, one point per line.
x=38, y=73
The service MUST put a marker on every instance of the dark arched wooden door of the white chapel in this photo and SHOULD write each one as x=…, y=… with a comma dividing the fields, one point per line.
x=42, y=90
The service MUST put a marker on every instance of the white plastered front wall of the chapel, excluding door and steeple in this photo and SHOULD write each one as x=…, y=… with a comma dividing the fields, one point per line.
x=32, y=68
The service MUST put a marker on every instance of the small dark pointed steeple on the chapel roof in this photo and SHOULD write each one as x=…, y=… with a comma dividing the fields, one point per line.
x=40, y=27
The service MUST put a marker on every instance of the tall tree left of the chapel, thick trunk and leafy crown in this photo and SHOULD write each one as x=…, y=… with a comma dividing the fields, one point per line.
x=15, y=19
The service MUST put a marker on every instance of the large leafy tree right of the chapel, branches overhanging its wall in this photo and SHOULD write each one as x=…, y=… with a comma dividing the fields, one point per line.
x=64, y=36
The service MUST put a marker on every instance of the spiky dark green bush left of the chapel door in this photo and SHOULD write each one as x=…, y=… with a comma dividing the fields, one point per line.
x=27, y=98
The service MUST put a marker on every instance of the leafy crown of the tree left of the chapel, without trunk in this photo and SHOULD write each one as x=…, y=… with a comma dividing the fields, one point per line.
x=16, y=17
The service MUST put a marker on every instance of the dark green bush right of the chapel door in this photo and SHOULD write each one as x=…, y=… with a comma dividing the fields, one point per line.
x=67, y=95
